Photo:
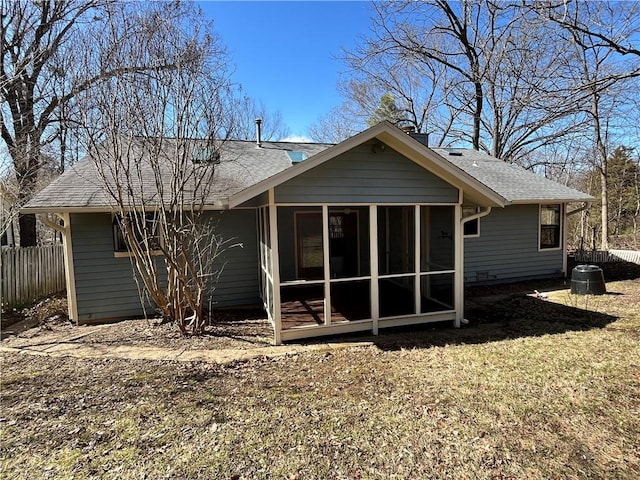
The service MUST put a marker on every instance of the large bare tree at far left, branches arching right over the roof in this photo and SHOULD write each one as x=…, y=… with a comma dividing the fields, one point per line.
x=42, y=42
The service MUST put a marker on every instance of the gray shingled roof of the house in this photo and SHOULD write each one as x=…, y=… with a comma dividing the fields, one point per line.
x=243, y=164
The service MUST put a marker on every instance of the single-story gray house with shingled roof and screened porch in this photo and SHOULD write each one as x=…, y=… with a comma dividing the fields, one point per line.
x=377, y=231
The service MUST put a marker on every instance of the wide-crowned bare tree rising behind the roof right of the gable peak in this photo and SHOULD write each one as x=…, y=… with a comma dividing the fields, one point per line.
x=478, y=71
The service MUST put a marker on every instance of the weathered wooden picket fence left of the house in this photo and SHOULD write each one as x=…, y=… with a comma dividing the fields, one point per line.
x=29, y=273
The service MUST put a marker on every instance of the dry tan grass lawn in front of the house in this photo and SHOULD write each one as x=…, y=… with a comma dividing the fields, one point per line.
x=503, y=400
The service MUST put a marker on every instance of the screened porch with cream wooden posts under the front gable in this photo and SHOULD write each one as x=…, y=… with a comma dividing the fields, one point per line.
x=338, y=268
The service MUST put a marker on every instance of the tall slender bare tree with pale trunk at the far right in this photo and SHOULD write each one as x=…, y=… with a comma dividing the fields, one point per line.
x=599, y=34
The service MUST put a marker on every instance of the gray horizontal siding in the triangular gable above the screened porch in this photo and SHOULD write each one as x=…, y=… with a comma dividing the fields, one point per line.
x=358, y=176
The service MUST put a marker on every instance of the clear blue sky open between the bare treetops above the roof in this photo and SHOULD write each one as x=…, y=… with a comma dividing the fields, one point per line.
x=286, y=53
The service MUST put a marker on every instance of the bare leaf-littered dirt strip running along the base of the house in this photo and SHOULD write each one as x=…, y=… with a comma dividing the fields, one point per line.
x=512, y=306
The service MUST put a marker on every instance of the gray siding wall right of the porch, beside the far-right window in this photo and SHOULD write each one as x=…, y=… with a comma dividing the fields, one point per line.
x=507, y=248
